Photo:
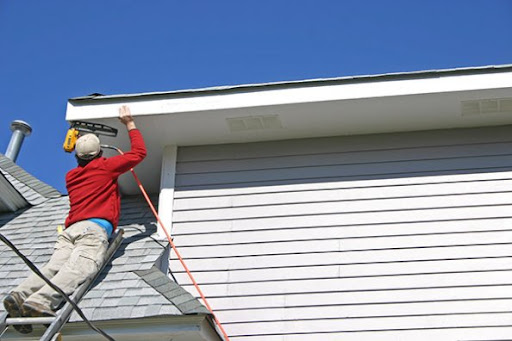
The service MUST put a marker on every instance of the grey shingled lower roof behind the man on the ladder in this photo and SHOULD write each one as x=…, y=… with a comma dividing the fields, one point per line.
x=131, y=286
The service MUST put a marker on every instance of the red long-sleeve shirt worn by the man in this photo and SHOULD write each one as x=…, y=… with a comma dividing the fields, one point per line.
x=93, y=190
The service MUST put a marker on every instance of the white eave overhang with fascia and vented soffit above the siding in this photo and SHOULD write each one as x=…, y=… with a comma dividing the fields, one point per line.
x=399, y=102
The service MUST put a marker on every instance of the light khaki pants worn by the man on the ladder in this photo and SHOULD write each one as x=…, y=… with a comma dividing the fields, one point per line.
x=79, y=253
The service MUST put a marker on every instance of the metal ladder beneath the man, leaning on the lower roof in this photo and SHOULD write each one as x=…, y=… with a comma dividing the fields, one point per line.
x=57, y=323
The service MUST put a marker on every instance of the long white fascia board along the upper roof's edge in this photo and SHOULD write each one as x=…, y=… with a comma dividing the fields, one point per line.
x=246, y=98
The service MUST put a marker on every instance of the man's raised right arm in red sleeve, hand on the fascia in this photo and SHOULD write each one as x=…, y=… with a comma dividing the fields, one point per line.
x=122, y=163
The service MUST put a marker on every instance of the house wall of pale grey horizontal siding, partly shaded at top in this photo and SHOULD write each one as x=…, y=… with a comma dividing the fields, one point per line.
x=379, y=237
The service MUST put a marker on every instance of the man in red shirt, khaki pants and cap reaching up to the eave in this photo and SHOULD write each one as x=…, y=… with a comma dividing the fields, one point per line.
x=94, y=213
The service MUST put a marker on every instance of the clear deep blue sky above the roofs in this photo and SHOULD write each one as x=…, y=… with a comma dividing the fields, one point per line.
x=54, y=50
